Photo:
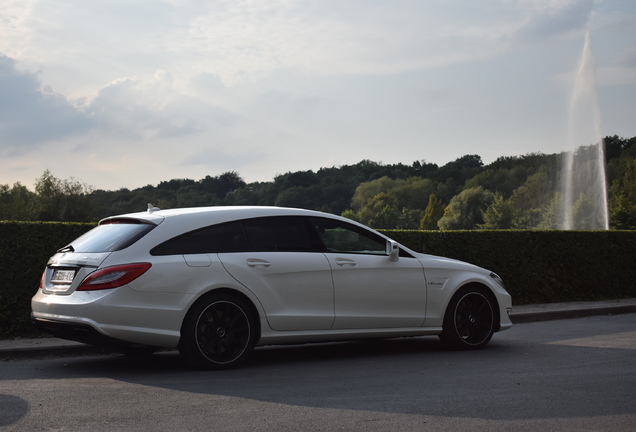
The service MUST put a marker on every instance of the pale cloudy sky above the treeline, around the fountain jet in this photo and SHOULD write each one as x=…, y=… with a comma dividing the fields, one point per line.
x=127, y=93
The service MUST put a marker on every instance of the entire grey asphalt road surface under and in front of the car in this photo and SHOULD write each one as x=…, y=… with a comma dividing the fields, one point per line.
x=574, y=374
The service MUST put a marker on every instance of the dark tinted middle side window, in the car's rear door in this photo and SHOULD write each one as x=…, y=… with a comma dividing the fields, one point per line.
x=277, y=234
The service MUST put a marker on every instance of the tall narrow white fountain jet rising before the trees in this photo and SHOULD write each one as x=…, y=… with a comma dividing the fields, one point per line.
x=584, y=184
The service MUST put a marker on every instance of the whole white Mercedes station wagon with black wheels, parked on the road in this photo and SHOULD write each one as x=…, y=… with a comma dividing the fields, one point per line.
x=215, y=282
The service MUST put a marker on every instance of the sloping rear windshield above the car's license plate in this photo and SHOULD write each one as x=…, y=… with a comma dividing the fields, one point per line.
x=111, y=237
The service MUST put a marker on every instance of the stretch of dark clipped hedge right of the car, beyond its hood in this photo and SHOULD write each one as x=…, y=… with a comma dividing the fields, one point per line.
x=541, y=266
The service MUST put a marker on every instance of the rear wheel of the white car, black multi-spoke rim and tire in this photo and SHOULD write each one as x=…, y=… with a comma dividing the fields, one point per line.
x=219, y=332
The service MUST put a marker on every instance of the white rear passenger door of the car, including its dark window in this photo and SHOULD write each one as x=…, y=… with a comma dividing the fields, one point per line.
x=282, y=268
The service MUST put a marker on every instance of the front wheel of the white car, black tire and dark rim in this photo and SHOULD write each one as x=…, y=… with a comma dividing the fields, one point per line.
x=469, y=322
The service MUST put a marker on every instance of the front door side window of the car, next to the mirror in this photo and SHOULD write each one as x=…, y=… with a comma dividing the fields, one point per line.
x=340, y=236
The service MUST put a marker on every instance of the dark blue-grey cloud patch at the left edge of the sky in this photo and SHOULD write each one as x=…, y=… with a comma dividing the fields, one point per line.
x=31, y=113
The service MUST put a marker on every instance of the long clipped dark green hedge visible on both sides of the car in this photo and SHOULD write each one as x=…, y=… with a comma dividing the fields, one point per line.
x=537, y=266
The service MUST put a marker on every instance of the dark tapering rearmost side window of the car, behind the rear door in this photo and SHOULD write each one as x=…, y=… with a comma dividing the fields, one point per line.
x=226, y=237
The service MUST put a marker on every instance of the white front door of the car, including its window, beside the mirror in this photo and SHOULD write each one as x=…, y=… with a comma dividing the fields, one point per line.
x=370, y=290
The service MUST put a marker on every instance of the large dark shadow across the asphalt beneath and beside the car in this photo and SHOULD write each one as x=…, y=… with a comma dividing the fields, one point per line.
x=520, y=375
